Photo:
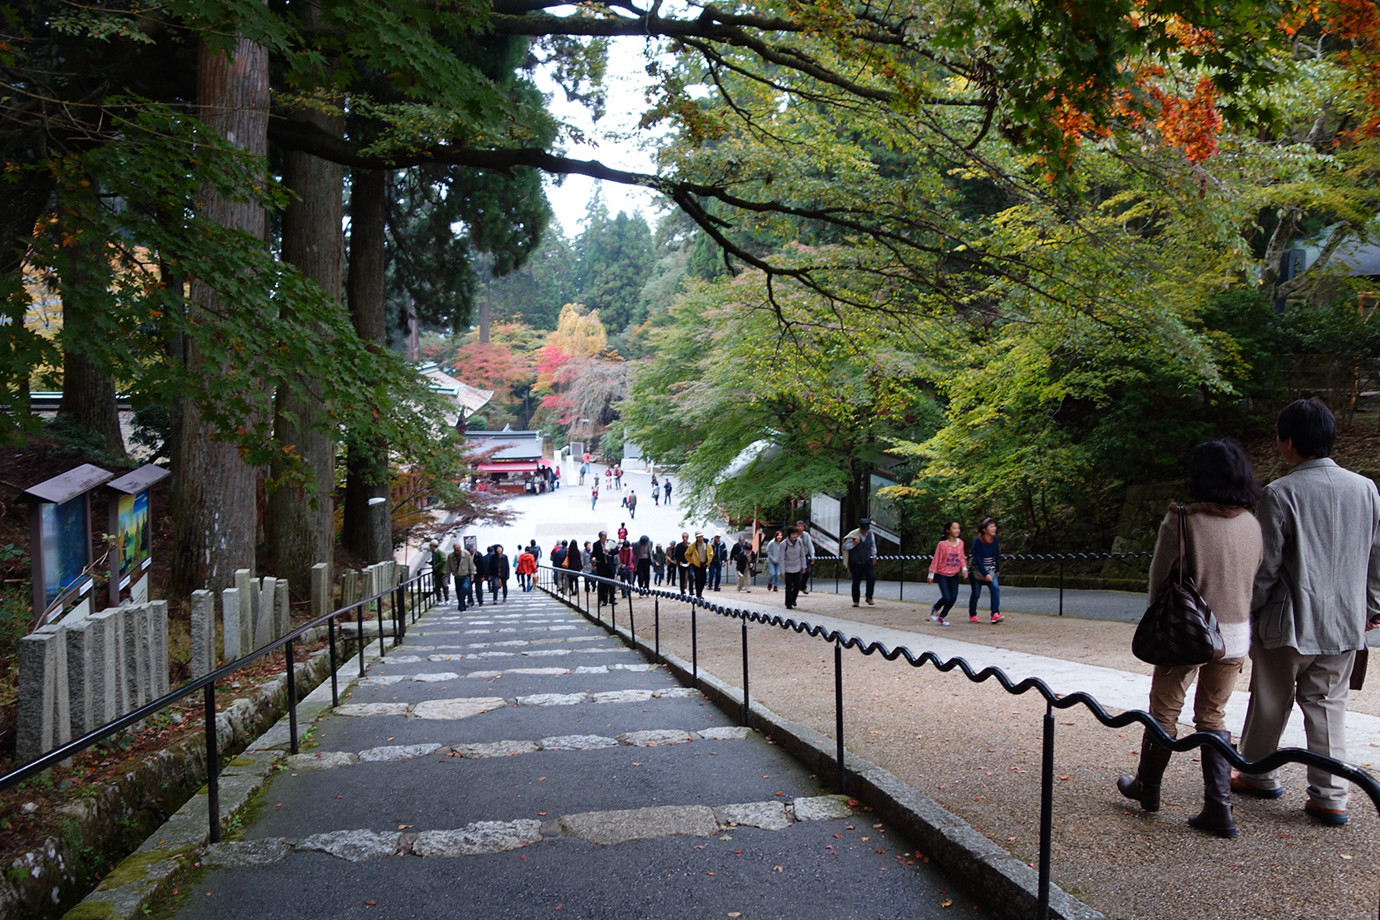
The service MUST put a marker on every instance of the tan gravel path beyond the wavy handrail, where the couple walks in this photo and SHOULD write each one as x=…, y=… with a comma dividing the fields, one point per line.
x=975, y=750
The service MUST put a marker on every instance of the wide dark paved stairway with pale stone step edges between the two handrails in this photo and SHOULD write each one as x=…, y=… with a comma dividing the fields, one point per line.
x=515, y=761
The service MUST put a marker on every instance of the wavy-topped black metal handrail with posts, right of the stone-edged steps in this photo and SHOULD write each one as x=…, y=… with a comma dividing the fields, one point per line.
x=1052, y=701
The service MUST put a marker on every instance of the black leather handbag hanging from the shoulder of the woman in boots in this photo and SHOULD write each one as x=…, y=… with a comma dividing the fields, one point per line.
x=1179, y=628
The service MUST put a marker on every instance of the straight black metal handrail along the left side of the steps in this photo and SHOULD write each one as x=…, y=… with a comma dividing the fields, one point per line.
x=419, y=590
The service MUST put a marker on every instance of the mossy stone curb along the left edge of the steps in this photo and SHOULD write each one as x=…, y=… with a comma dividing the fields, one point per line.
x=150, y=872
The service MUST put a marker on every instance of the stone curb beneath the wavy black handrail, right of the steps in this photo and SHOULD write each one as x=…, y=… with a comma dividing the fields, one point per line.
x=1007, y=886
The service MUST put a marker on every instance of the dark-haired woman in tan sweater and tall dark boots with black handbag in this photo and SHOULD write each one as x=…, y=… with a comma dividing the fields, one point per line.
x=1214, y=544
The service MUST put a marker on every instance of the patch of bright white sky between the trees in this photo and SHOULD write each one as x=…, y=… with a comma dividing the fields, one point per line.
x=619, y=141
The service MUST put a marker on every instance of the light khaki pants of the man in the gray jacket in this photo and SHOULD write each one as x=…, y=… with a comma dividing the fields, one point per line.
x=1321, y=685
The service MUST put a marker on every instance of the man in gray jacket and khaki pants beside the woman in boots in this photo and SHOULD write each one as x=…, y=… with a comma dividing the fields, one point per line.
x=1317, y=594
